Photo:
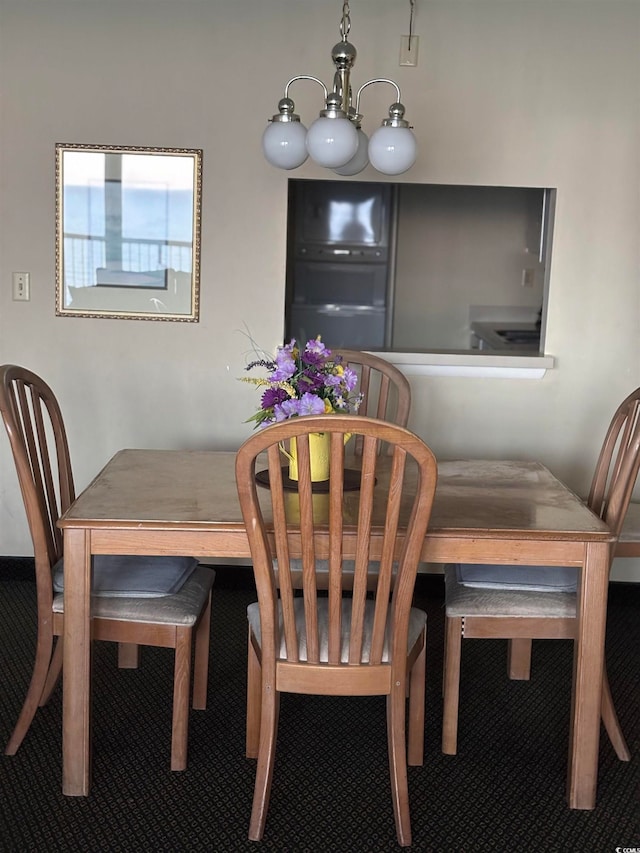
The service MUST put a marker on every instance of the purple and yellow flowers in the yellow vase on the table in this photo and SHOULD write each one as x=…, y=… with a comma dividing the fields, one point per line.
x=303, y=381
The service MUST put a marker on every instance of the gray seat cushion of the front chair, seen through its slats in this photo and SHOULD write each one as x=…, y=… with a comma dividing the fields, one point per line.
x=417, y=621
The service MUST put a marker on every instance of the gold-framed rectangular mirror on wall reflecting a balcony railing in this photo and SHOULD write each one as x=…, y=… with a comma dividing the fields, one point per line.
x=128, y=232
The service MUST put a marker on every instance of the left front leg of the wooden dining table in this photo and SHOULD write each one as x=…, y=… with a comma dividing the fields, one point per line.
x=76, y=669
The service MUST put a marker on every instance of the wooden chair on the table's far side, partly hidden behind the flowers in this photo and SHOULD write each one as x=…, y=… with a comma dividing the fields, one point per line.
x=386, y=391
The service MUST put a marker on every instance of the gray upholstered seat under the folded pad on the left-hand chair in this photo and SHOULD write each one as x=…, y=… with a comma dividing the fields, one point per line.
x=179, y=608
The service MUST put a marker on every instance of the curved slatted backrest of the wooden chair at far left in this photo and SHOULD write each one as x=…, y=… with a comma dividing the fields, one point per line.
x=38, y=440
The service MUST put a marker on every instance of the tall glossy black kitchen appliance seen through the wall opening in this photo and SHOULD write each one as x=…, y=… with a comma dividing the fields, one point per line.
x=337, y=263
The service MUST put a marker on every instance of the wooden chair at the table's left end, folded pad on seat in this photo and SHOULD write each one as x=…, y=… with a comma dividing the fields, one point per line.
x=155, y=601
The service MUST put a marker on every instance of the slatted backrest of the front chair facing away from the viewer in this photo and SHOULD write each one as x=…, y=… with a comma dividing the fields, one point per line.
x=393, y=504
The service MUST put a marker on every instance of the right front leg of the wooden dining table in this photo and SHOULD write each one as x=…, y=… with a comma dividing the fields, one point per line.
x=588, y=660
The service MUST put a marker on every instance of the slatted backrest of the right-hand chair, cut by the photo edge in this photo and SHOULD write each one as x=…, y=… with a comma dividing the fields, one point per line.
x=618, y=463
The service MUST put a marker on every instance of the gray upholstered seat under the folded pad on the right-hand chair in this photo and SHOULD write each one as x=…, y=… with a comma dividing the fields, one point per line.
x=491, y=600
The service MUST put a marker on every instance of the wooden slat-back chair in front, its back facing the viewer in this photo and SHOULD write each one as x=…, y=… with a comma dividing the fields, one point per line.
x=338, y=643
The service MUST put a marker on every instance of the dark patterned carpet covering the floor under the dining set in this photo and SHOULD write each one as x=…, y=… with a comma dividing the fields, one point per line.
x=504, y=791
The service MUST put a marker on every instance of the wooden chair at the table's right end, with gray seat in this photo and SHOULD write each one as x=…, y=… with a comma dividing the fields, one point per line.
x=521, y=603
